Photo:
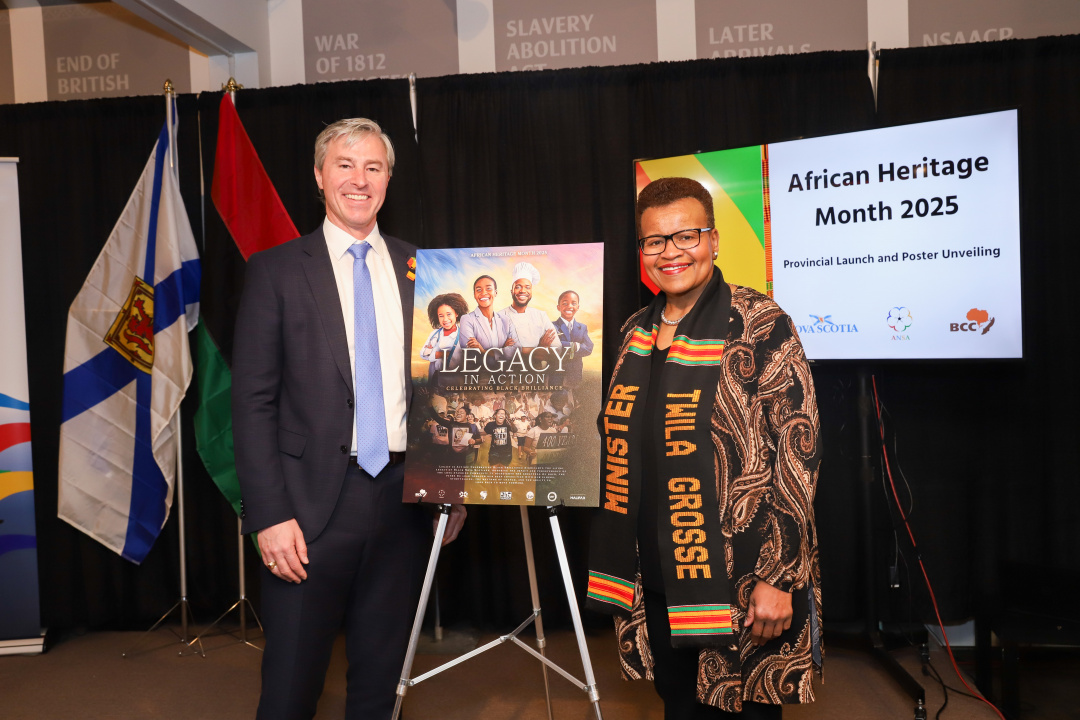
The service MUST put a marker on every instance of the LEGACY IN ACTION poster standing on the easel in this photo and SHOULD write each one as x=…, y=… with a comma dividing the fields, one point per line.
x=506, y=369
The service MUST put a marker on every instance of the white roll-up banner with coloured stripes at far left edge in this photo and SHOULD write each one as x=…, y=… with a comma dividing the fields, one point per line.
x=20, y=616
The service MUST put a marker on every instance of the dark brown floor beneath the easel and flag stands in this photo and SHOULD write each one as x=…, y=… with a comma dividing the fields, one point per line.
x=87, y=678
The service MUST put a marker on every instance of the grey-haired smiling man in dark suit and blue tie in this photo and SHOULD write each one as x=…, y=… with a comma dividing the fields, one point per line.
x=320, y=396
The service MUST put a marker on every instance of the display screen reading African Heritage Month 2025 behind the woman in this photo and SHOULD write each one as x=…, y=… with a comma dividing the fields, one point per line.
x=898, y=243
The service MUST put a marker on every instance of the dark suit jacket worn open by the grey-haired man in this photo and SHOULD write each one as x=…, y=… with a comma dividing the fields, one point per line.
x=292, y=383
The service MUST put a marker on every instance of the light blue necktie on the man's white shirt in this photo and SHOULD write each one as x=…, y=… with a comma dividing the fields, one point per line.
x=373, y=451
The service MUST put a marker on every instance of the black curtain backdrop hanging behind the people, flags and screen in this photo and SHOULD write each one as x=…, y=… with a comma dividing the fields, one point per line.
x=514, y=159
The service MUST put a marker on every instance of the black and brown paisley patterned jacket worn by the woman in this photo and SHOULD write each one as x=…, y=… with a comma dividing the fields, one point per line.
x=765, y=432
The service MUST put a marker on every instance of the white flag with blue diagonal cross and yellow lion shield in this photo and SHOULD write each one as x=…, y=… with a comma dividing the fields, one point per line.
x=127, y=368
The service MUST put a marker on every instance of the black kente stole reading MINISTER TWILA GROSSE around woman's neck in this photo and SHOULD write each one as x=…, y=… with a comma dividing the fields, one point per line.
x=692, y=548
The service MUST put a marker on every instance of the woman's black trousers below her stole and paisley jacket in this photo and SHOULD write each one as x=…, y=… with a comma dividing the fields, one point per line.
x=677, y=673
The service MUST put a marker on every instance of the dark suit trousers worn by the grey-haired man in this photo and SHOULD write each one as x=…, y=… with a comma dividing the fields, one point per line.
x=364, y=575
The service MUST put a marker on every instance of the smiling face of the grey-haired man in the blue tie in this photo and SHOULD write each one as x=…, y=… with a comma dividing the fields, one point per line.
x=354, y=180
